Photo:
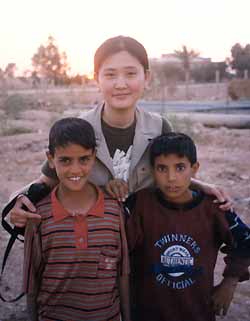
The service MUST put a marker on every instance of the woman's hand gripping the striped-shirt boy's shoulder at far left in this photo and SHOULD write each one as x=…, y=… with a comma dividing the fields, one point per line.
x=19, y=216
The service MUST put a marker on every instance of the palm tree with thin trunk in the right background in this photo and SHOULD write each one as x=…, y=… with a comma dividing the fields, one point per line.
x=186, y=56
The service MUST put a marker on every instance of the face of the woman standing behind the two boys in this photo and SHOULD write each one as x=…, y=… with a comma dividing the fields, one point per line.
x=122, y=80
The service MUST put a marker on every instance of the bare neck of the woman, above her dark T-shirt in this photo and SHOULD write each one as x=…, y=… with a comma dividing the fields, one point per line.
x=120, y=118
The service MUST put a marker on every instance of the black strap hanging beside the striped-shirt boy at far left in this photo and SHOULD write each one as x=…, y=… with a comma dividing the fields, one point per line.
x=35, y=193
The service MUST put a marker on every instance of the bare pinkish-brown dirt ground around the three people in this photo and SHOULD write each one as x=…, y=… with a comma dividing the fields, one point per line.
x=224, y=156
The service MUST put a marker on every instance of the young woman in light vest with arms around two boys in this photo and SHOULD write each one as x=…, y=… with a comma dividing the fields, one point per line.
x=123, y=130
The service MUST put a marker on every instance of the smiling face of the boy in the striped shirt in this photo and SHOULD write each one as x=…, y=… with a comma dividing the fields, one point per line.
x=73, y=164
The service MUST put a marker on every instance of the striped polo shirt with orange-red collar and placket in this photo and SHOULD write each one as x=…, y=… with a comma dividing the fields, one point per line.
x=74, y=262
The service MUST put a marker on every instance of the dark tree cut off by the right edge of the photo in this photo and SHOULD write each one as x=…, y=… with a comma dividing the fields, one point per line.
x=240, y=60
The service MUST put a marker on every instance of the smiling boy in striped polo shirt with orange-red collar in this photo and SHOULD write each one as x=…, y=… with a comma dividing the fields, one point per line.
x=76, y=262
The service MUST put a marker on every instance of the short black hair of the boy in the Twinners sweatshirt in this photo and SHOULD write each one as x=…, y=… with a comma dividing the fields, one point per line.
x=173, y=143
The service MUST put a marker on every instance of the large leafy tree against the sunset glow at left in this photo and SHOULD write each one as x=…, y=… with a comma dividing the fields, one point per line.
x=49, y=62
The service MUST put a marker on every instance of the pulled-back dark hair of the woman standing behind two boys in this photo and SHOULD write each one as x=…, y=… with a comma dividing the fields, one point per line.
x=120, y=43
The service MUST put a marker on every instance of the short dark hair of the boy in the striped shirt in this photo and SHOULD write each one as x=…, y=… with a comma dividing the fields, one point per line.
x=71, y=130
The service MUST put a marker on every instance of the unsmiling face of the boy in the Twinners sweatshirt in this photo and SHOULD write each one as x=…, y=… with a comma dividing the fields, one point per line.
x=173, y=175
